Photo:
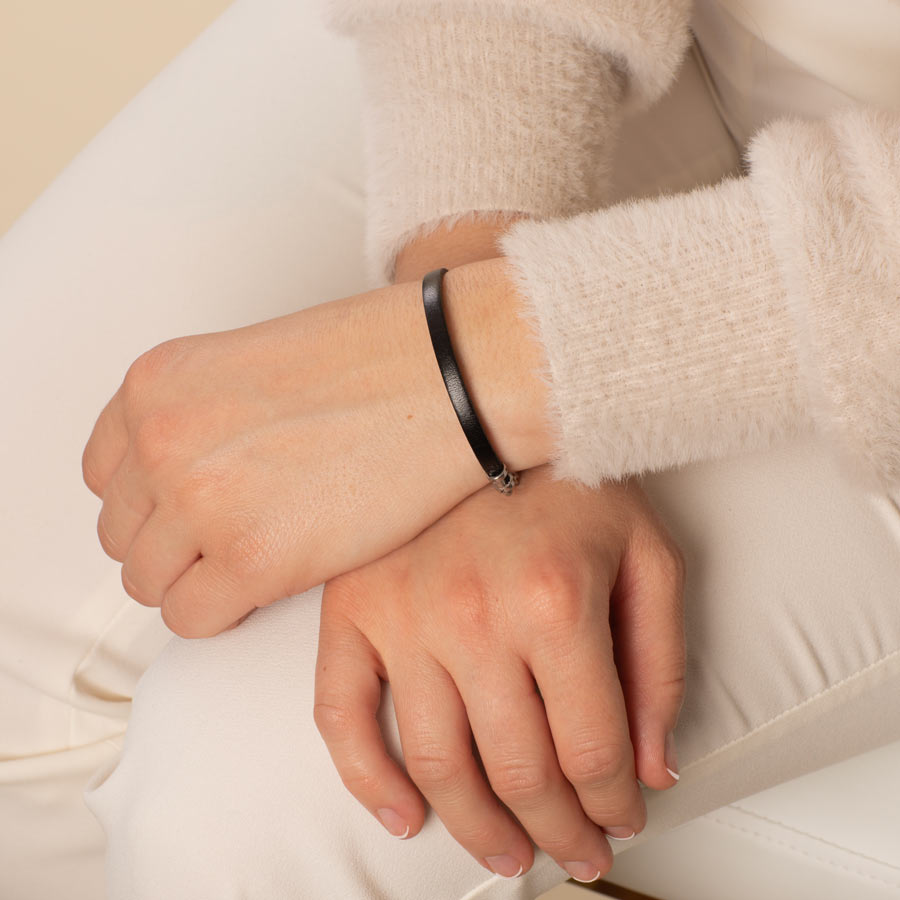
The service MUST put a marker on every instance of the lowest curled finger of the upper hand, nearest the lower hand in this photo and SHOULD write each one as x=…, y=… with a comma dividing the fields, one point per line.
x=206, y=600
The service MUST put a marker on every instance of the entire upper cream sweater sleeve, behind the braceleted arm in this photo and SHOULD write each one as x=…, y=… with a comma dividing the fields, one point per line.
x=500, y=106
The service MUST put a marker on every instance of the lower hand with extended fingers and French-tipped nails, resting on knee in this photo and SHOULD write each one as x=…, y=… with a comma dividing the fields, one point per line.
x=557, y=589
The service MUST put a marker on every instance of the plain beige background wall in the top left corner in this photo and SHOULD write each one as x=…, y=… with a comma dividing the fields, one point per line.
x=67, y=67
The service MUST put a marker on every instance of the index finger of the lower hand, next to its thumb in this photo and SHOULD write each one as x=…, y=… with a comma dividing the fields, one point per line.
x=573, y=664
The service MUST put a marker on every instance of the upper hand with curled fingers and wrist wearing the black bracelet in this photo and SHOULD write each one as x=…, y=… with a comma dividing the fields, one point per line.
x=240, y=467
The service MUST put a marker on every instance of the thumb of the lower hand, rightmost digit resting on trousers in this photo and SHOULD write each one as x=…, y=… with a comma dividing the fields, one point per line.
x=647, y=618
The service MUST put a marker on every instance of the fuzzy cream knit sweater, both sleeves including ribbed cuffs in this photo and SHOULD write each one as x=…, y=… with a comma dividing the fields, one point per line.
x=677, y=329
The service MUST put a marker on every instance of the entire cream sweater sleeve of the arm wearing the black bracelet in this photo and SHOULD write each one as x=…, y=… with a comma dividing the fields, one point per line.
x=727, y=319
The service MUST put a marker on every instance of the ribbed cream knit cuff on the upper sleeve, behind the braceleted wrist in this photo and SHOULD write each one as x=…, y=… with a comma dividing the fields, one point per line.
x=464, y=117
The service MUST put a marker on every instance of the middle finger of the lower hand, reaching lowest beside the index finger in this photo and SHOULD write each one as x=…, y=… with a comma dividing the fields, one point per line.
x=510, y=726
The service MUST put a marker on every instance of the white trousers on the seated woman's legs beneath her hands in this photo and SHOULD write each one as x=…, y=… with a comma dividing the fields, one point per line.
x=228, y=192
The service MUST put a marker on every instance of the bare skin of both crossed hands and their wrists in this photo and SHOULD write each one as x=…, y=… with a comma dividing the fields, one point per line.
x=217, y=499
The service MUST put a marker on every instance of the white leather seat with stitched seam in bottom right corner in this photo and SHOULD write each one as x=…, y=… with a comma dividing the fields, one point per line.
x=833, y=834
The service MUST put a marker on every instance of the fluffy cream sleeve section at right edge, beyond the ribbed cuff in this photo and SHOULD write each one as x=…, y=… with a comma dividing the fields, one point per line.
x=830, y=192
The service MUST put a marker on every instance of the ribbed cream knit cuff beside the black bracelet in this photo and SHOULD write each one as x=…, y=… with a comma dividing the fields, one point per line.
x=666, y=330
